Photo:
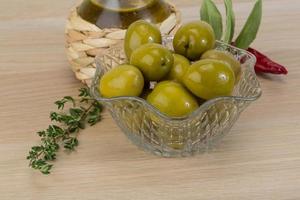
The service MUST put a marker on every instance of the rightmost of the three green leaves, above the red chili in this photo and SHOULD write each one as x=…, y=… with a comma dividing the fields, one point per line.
x=250, y=29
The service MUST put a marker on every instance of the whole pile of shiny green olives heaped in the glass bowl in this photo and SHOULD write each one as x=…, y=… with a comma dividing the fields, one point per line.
x=191, y=73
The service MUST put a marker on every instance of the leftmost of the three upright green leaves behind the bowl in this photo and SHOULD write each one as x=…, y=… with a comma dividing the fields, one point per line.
x=210, y=13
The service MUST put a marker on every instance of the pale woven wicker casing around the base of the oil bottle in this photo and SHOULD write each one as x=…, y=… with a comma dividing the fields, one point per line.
x=85, y=40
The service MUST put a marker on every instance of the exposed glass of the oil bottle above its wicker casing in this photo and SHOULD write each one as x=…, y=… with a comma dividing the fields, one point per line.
x=121, y=13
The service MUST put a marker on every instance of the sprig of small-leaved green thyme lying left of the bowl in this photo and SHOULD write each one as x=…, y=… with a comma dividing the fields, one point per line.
x=65, y=128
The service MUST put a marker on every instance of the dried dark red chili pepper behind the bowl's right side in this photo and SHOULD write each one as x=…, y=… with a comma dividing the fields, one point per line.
x=266, y=65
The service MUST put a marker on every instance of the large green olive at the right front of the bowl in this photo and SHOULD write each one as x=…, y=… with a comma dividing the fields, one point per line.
x=210, y=78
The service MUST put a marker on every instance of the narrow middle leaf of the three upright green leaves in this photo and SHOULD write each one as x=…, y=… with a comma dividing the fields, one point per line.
x=230, y=22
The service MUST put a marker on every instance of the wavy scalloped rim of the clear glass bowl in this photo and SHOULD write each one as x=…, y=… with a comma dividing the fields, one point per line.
x=96, y=94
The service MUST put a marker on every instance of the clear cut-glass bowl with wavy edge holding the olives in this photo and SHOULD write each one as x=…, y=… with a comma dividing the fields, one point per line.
x=198, y=132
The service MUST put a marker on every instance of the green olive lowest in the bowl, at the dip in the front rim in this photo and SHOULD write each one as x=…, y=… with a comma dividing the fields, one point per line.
x=172, y=99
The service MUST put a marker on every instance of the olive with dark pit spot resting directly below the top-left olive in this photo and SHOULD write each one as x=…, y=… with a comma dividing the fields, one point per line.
x=154, y=61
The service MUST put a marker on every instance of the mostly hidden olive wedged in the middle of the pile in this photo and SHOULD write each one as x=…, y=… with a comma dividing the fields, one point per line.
x=180, y=66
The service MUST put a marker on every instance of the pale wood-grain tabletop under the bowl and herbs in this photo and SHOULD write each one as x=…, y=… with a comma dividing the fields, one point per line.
x=260, y=159
